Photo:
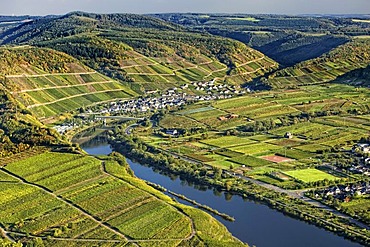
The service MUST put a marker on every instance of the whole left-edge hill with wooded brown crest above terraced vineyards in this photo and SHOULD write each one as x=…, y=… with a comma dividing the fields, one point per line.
x=47, y=82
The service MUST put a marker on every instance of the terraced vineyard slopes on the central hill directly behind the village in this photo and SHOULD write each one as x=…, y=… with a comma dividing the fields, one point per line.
x=173, y=69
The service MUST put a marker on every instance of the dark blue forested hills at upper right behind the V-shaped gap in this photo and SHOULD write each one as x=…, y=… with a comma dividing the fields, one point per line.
x=286, y=39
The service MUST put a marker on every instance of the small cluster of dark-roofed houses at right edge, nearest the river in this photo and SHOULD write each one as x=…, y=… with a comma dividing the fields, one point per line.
x=345, y=192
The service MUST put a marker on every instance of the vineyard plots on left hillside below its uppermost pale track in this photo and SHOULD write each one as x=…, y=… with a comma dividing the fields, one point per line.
x=49, y=95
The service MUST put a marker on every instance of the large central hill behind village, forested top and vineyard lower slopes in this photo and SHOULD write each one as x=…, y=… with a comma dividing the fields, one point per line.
x=147, y=52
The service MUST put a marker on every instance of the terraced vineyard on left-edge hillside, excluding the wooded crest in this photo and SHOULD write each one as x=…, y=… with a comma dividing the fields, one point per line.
x=49, y=94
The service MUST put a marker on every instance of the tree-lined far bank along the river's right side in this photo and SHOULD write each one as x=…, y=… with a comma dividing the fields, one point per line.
x=292, y=207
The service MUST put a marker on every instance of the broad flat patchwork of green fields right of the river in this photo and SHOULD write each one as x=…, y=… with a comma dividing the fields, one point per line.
x=271, y=151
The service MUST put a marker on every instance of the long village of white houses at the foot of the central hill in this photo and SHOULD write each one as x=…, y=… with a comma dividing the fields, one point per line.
x=155, y=100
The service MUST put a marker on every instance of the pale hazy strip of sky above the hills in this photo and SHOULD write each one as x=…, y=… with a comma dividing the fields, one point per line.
x=288, y=7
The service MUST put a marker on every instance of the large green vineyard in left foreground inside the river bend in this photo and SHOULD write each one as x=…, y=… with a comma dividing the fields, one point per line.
x=43, y=196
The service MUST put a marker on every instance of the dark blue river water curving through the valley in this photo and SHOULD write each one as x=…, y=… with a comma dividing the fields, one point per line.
x=254, y=223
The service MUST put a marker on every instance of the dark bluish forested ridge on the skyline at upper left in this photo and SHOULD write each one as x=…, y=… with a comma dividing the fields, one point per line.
x=42, y=29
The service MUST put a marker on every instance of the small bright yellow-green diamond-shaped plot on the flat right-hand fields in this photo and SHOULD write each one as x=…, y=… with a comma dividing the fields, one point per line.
x=310, y=175
